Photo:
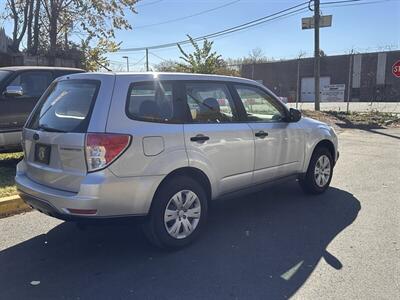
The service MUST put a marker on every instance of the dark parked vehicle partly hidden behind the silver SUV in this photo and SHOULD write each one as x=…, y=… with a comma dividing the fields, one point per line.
x=20, y=89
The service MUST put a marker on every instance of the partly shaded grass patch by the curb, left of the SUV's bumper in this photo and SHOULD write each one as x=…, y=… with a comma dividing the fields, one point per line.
x=8, y=162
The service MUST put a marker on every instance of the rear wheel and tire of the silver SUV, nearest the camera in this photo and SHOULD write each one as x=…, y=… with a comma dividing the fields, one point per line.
x=180, y=226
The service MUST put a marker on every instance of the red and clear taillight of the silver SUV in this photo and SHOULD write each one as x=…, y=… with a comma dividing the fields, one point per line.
x=103, y=148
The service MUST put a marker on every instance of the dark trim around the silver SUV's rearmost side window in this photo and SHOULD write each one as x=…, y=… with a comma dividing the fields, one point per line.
x=175, y=98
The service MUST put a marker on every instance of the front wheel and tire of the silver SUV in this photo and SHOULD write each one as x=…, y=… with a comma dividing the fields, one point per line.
x=317, y=183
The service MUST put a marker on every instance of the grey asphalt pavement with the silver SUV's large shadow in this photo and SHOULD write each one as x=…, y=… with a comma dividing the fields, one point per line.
x=276, y=244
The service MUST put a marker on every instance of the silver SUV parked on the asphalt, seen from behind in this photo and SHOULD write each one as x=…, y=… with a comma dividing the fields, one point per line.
x=162, y=145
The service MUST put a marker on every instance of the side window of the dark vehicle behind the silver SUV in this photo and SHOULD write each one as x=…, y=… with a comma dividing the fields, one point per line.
x=33, y=83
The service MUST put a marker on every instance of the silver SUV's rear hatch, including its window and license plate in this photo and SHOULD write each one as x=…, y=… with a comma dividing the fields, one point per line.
x=54, y=137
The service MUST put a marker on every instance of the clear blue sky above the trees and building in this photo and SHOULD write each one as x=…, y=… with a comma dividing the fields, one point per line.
x=365, y=28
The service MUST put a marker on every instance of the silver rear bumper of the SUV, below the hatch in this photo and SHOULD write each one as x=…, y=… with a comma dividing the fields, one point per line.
x=103, y=193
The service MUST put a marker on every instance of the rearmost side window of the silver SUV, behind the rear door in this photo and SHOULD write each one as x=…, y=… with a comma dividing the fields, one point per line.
x=151, y=101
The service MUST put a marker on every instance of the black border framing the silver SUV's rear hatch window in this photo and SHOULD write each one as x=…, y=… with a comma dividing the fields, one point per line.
x=85, y=124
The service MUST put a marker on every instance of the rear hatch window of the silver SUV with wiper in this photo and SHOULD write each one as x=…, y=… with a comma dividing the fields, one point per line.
x=66, y=106
